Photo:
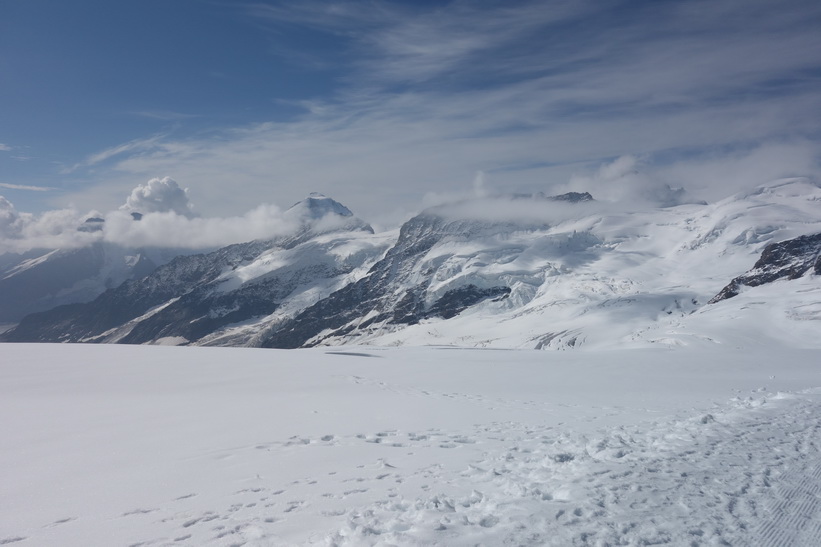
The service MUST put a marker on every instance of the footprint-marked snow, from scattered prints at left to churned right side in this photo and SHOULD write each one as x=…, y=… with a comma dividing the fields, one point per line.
x=747, y=473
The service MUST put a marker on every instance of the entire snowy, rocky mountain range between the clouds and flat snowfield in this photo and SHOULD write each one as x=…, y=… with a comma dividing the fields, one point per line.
x=513, y=271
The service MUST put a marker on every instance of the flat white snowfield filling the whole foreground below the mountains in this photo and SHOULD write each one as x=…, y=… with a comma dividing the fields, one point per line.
x=134, y=445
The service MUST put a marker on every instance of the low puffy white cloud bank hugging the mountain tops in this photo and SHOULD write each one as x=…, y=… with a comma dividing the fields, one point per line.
x=167, y=216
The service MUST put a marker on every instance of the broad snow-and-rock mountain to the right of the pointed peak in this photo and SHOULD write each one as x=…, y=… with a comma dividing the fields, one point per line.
x=531, y=276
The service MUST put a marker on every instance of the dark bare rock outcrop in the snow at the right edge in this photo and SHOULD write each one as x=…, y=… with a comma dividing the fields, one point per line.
x=789, y=259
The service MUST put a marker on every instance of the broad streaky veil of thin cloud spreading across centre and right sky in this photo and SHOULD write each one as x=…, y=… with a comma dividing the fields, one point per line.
x=529, y=93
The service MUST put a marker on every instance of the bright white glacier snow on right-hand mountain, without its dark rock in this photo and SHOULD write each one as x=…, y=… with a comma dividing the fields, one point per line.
x=626, y=279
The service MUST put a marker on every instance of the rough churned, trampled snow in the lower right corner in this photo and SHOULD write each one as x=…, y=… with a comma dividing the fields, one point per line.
x=745, y=474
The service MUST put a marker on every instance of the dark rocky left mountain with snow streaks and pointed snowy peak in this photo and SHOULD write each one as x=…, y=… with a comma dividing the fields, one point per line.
x=228, y=296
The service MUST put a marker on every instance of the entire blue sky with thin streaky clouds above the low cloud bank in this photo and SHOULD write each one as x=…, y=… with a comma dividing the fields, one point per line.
x=388, y=106
